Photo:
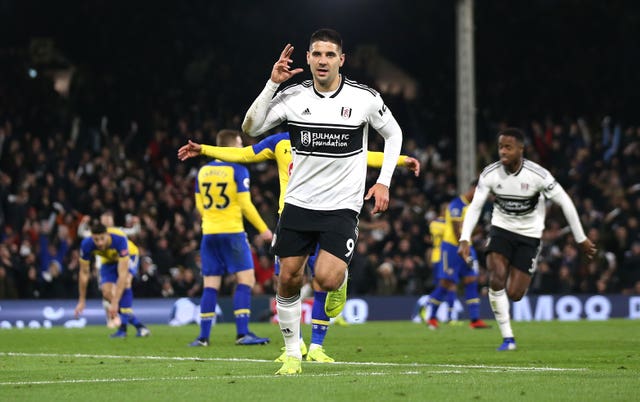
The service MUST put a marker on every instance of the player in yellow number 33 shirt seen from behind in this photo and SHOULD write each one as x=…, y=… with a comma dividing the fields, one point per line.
x=223, y=199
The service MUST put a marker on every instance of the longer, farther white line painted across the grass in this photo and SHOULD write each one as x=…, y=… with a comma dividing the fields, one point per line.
x=374, y=364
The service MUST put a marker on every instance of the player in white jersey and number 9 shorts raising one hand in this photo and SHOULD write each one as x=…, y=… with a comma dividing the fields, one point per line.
x=328, y=120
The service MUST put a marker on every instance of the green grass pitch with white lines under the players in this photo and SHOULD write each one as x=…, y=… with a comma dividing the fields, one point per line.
x=375, y=361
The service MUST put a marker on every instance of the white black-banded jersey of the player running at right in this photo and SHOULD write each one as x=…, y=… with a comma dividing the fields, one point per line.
x=519, y=204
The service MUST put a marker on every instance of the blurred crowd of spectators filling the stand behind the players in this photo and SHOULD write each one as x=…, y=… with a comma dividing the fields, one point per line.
x=50, y=179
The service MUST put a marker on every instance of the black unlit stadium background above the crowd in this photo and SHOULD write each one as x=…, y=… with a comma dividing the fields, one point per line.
x=532, y=58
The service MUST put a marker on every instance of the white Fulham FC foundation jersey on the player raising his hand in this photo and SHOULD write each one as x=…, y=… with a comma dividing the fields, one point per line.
x=329, y=136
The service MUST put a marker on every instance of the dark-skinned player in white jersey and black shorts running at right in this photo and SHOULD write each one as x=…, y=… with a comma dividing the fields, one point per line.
x=520, y=187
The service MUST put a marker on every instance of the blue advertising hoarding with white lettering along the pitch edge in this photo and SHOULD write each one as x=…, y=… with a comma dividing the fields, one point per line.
x=48, y=313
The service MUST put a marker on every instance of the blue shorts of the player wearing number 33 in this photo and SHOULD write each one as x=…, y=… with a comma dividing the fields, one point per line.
x=225, y=253
